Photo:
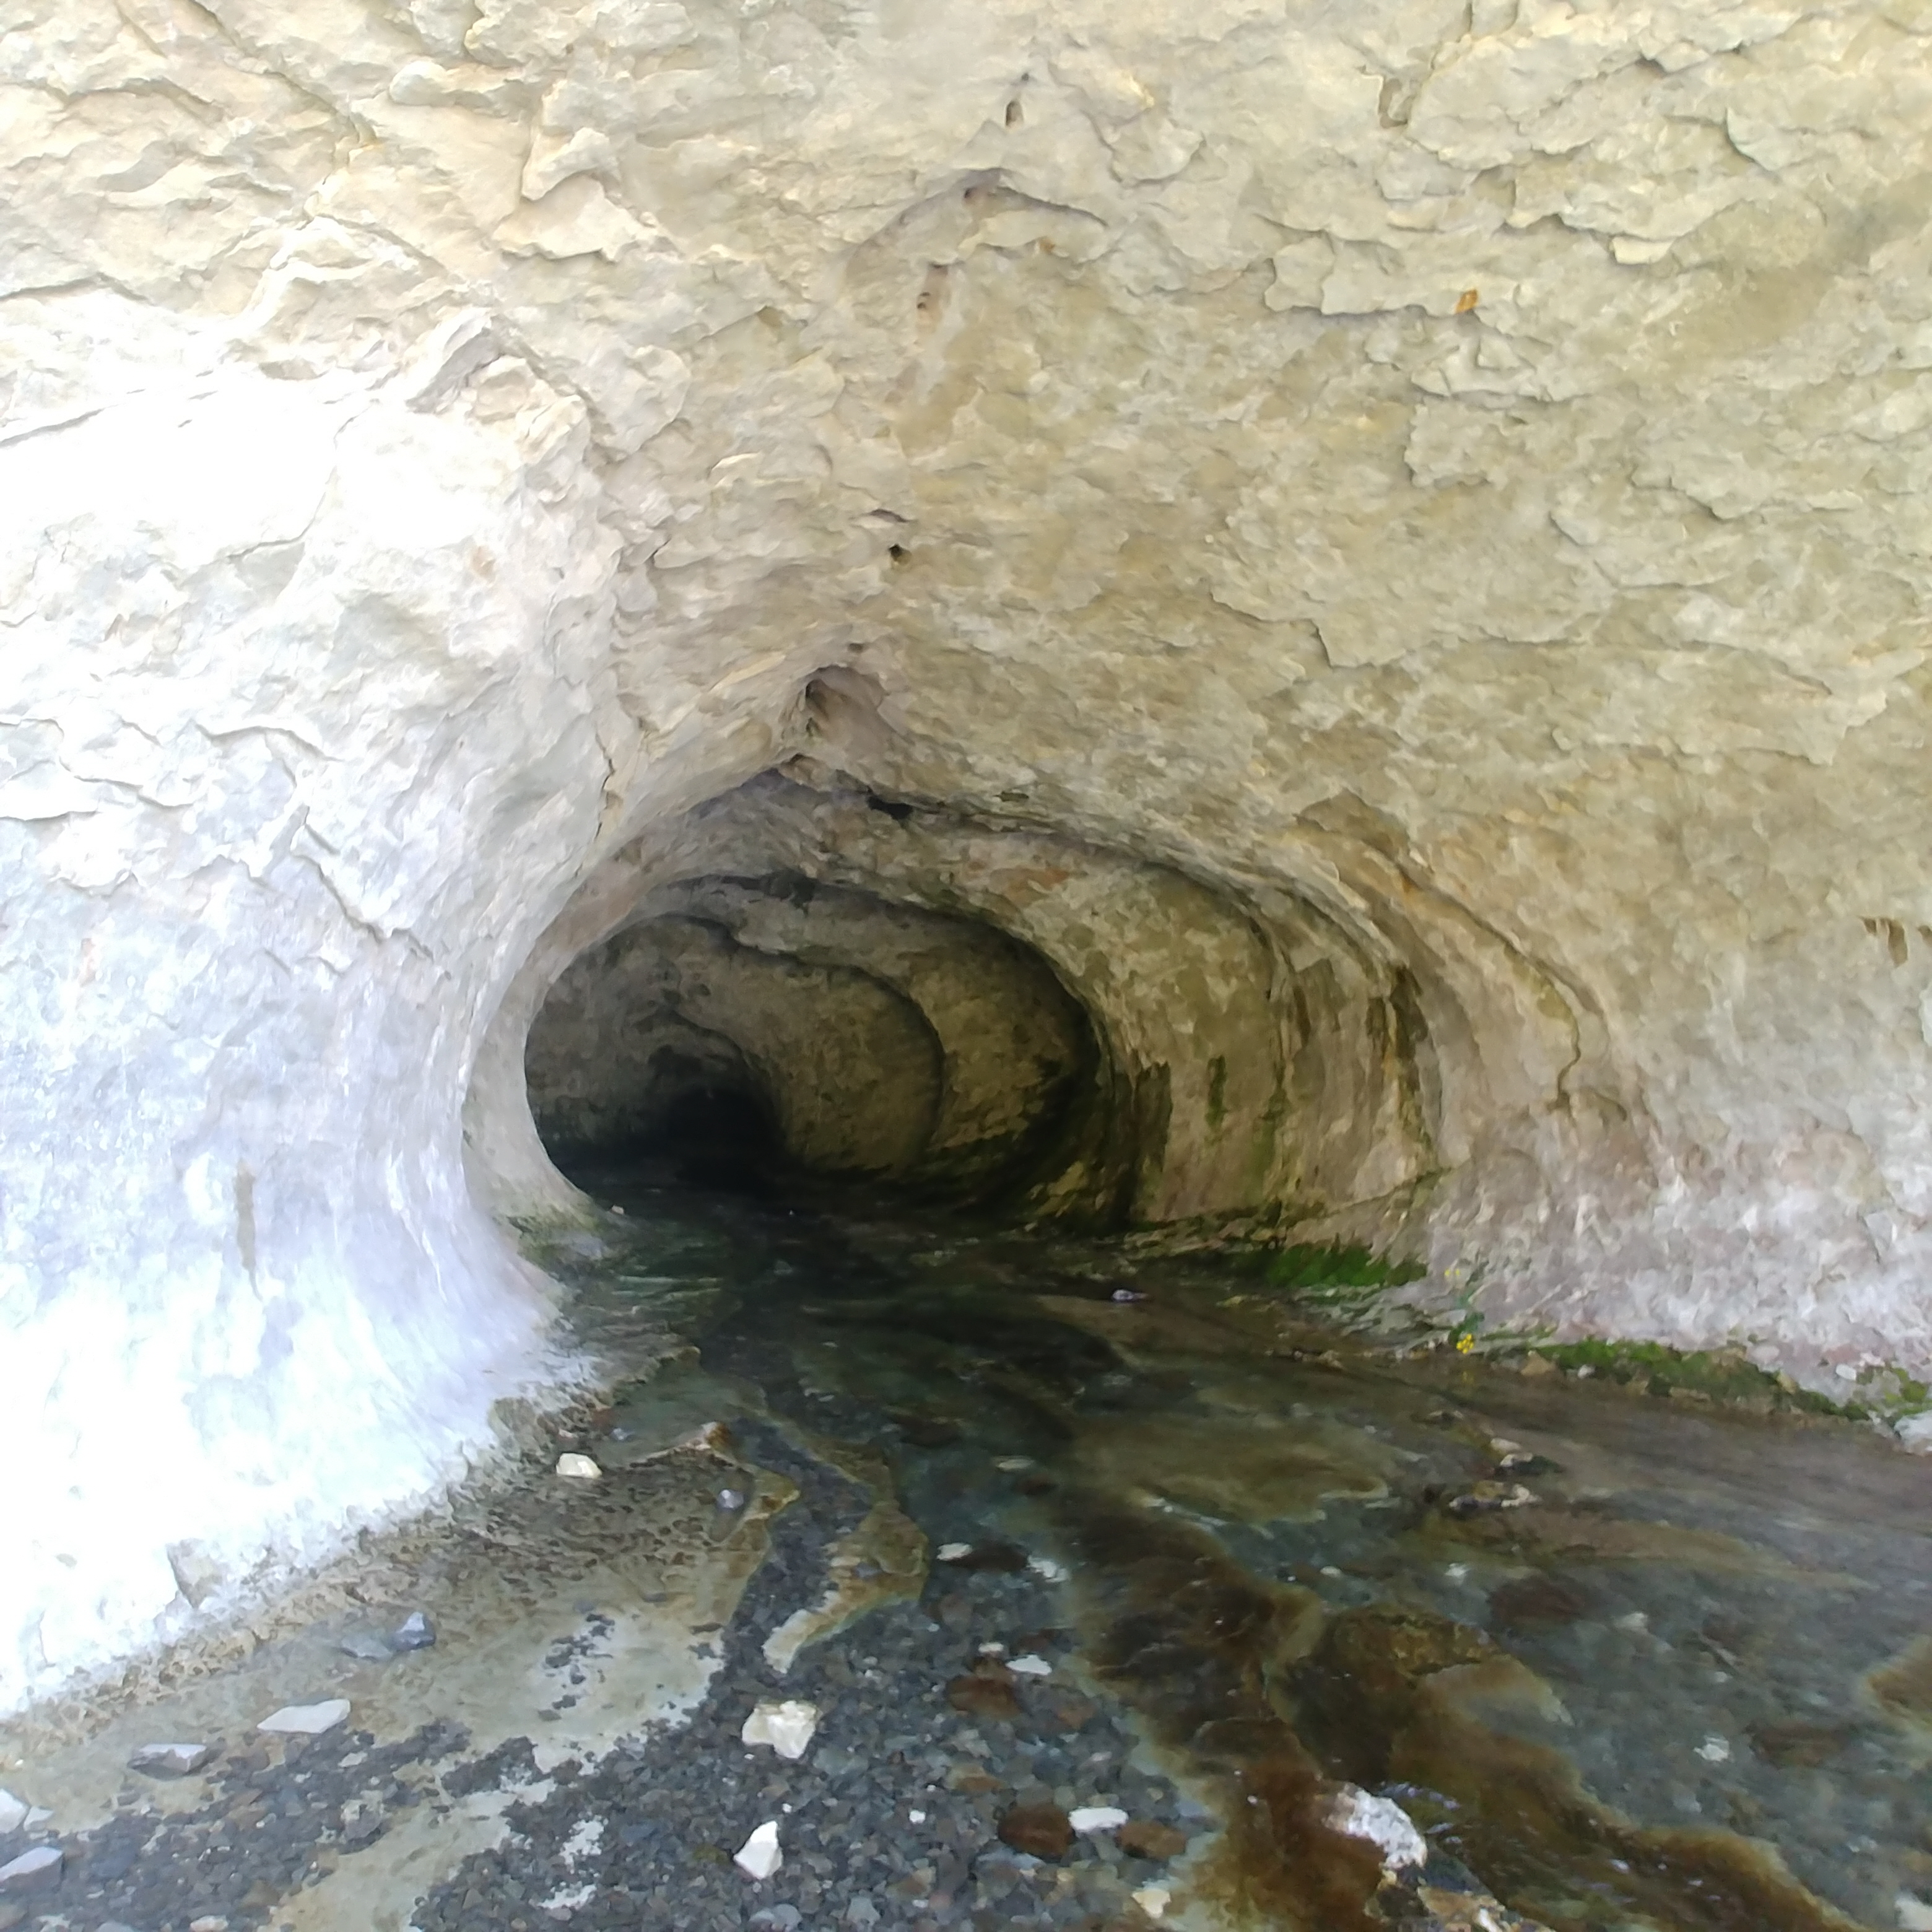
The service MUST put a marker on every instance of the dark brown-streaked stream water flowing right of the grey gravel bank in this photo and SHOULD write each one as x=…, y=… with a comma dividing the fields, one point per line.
x=1630, y=1664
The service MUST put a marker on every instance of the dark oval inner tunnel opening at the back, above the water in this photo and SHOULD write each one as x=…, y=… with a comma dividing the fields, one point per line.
x=778, y=1035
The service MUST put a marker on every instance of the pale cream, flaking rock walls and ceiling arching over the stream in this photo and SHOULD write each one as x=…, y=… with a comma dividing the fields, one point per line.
x=1378, y=548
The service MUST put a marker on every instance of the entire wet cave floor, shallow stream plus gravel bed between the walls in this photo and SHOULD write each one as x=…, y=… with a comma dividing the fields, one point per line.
x=1042, y=1525
